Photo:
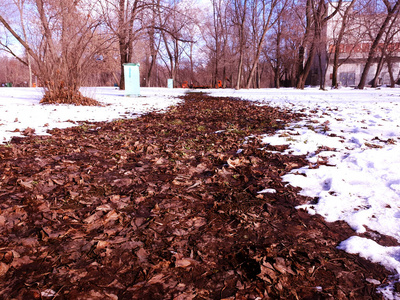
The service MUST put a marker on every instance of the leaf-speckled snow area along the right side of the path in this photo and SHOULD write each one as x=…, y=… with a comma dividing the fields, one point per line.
x=354, y=137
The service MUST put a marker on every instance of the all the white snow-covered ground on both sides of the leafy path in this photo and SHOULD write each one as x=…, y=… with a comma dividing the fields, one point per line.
x=356, y=133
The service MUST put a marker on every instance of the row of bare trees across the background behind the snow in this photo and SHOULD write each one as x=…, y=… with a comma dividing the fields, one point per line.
x=237, y=43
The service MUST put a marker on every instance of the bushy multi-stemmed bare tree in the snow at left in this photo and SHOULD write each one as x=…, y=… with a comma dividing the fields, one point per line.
x=64, y=51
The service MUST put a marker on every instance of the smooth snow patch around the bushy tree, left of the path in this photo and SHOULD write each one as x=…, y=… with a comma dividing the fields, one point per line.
x=20, y=108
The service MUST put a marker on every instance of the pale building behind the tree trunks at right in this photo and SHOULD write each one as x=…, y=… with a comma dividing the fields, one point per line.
x=354, y=49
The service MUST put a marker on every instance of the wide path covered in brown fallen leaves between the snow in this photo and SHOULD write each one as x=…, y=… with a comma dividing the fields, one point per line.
x=167, y=206
